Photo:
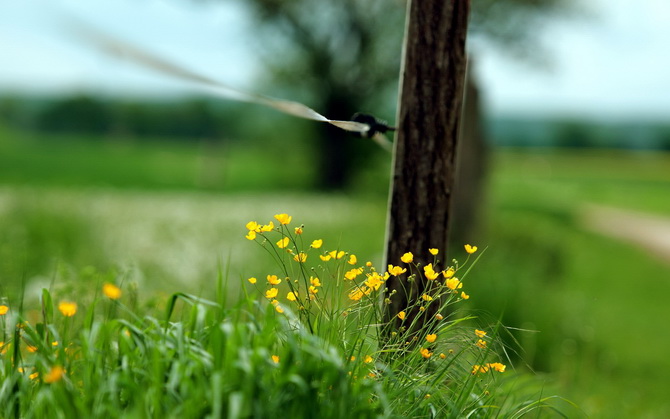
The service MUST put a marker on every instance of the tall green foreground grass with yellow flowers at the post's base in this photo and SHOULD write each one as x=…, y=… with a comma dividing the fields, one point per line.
x=308, y=341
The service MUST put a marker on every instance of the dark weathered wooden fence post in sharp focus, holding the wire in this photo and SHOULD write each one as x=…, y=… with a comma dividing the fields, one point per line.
x=431, y=96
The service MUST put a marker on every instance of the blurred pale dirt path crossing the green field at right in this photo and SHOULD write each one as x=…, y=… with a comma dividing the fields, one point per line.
x=650, y=232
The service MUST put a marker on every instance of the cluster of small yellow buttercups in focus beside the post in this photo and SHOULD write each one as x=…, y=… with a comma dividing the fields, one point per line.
x=298, y=286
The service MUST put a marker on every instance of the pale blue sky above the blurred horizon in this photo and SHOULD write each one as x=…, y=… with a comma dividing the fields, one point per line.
x=615, y=63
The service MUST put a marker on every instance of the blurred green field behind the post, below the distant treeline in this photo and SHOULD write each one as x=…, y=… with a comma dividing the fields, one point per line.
x=171, y=216
